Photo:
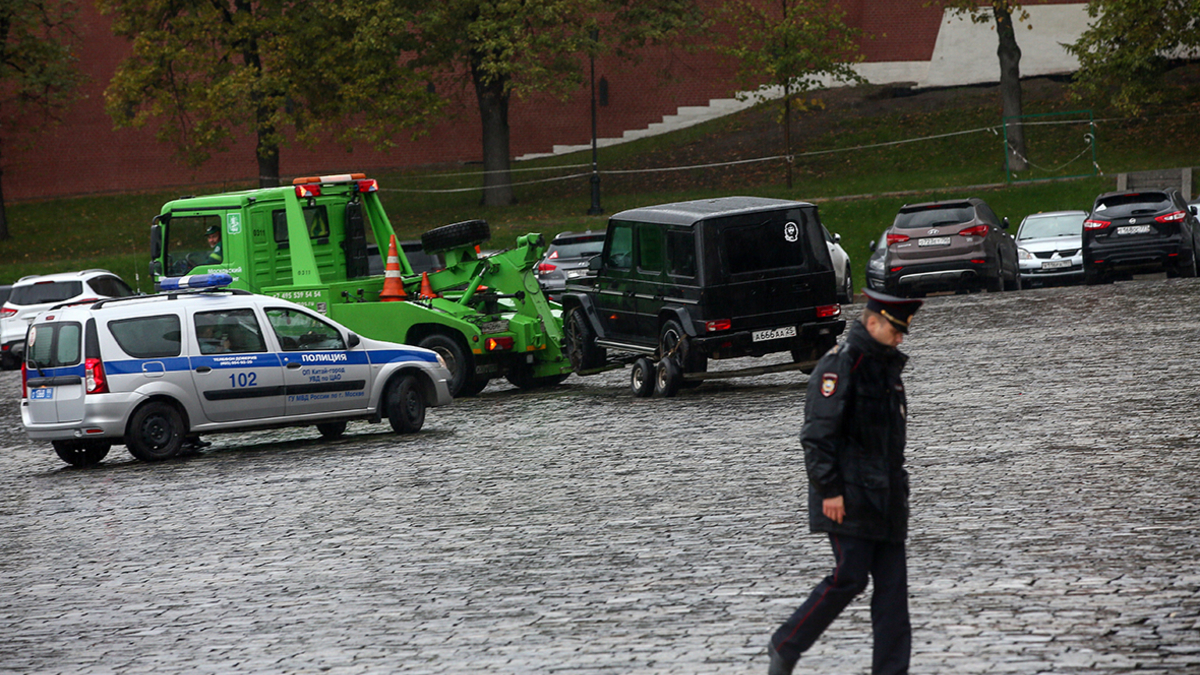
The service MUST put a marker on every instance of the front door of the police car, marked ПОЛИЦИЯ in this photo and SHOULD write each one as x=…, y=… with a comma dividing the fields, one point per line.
x=322, y=373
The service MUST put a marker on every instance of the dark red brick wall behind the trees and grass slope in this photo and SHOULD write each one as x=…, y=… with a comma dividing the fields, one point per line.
x=87, y=156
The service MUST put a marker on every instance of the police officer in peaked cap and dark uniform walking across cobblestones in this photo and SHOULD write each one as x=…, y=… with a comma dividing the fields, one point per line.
x=854, y=439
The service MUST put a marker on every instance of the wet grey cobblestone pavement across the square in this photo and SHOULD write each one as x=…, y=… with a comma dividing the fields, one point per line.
x=1057, y=501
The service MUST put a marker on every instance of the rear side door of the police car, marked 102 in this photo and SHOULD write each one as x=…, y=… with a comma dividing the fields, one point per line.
x=236, y=377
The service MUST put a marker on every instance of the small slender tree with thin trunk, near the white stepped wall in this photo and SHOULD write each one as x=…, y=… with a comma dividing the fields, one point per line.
x=795, y=46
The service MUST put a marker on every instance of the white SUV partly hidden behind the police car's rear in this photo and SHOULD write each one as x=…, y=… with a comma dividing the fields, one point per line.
x=33, y=295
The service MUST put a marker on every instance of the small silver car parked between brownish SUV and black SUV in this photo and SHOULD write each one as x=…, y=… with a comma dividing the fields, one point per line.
x=1051, y=248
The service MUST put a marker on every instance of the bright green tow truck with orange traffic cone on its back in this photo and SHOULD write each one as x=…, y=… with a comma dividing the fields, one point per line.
x=315, y=243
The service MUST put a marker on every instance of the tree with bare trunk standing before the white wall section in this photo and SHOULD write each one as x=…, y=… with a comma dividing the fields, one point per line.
x=1006, y=14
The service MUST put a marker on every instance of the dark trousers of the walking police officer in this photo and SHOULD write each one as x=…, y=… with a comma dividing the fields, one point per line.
x=855, y=561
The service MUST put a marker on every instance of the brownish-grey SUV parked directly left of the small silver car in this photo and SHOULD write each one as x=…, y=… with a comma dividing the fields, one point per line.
x=957, y=246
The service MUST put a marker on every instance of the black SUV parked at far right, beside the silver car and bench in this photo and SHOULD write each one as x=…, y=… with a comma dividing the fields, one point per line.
x=1147, y=231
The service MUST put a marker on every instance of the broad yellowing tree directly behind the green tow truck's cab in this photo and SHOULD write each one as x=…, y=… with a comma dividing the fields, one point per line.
x=207, y=71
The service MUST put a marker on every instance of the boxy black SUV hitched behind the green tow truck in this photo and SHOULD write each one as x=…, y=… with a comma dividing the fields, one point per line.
x=718, y=279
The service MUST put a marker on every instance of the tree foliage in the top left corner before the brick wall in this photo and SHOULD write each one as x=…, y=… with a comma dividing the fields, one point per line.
x=39, y=76
